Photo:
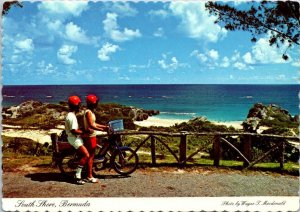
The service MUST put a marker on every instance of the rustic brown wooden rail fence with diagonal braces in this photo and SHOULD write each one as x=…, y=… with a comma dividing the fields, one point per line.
x=181, y=153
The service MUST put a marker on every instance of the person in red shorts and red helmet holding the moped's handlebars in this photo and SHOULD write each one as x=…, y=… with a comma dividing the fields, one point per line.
x=91, y=125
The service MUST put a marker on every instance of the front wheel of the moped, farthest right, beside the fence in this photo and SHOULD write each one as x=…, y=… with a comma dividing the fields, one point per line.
x=125, y=161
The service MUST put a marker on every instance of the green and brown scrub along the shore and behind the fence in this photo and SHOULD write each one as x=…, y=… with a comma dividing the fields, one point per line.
x=48, y=116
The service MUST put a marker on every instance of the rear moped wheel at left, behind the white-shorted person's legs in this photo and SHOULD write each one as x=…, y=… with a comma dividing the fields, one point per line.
x=68, y=165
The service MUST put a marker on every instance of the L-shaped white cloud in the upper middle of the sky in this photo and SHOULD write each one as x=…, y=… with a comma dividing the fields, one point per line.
x=111, y=28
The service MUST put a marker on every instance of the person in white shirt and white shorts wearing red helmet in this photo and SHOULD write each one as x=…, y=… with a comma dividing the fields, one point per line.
x=74, y=133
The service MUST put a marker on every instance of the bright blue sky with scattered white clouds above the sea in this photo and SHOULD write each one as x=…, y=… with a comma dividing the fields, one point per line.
x=87, y=42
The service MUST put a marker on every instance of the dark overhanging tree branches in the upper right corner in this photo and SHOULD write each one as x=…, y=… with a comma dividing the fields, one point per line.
x=279, y=18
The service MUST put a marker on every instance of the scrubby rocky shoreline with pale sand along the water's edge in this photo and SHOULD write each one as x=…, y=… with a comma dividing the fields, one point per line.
x=37, y=114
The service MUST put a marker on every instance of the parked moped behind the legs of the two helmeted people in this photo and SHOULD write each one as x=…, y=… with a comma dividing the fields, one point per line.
x=109, y=153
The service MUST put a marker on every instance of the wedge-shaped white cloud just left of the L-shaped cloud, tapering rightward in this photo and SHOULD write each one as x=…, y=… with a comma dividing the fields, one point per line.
x=76, y=34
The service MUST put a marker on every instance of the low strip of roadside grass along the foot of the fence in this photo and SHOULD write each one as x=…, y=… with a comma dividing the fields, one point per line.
x=13, y=162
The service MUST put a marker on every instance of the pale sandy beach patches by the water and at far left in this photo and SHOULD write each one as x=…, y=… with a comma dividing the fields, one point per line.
x=43, y=136
